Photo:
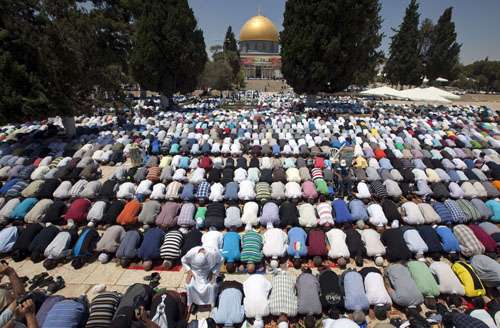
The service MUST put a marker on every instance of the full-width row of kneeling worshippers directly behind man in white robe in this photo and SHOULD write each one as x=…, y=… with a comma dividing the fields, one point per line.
x=248, y=251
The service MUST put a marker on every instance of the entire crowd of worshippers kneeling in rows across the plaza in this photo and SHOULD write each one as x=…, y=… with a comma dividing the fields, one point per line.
x=387, y=206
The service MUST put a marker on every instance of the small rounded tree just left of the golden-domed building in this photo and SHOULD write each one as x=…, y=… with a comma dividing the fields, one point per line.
x=216, y=75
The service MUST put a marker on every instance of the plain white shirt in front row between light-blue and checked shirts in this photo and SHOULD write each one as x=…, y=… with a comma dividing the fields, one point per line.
x=256, y=302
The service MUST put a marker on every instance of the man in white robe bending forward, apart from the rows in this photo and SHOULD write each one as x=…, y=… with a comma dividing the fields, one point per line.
x=202, y=265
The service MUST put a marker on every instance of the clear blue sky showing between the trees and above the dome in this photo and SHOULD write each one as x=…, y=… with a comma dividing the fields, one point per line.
x=477, y=22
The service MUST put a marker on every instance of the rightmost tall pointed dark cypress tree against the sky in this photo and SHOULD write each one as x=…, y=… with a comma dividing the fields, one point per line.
x=444, y=51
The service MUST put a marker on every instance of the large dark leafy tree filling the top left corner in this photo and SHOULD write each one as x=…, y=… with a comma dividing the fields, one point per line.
x=70, y=58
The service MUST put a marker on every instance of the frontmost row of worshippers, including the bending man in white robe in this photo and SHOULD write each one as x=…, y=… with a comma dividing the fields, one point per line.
x=453, y=295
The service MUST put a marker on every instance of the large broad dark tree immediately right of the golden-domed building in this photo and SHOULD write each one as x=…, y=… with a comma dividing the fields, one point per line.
x=327, y=45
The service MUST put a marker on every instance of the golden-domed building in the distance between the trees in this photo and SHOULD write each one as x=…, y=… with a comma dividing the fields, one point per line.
x=260, y=49
